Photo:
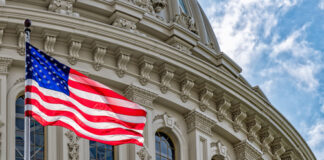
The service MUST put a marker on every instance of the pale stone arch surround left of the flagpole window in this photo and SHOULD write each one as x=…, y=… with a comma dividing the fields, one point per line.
x=13, y=93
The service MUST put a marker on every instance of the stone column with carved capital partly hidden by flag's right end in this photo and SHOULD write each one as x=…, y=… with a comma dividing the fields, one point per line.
x=144, y=98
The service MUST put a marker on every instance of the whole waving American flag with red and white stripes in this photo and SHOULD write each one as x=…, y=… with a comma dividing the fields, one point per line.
x=56, y=94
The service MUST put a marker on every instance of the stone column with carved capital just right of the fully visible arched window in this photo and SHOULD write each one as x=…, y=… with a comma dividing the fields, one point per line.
x=199, y=133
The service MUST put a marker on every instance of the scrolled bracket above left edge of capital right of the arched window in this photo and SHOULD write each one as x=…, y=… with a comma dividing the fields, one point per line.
x=187, y=82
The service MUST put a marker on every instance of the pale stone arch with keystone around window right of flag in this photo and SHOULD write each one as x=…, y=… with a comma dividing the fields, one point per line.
x=166, y=124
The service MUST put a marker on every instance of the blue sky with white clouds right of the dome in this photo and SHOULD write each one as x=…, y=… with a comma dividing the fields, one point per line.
x=280, y=46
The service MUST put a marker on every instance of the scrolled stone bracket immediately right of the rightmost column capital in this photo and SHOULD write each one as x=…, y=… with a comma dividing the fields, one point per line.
x=266, y=137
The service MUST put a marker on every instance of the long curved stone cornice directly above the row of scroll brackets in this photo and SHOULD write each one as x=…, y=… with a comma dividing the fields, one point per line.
x=202, y=69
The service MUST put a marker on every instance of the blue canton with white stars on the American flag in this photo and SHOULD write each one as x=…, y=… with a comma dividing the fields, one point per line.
x=46, y=71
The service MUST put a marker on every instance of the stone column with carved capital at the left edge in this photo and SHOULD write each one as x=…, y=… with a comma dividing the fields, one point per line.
x=4, y=66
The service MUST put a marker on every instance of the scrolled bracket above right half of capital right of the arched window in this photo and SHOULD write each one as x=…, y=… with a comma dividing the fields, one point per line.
x=205, y=94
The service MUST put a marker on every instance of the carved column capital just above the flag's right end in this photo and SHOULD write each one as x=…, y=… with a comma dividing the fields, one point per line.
x=140, y=96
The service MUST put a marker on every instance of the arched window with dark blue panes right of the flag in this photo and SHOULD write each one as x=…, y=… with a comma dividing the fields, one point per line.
x=164, y=148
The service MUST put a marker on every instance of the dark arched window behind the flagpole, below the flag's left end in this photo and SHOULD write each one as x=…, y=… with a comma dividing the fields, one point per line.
x=36, y=134
